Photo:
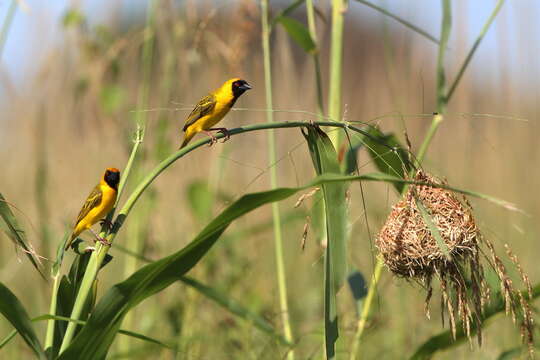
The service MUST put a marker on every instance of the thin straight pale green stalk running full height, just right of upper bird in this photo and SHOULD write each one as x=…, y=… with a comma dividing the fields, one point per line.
x=278, y=241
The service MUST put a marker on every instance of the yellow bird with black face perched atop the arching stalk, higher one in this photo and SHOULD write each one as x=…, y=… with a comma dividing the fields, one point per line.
x=212, y=108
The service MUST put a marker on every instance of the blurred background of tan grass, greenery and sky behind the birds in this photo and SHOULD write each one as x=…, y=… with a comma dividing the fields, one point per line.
x=74, y=81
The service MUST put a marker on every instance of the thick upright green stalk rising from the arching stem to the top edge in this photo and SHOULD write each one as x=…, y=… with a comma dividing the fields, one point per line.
x=336, y=62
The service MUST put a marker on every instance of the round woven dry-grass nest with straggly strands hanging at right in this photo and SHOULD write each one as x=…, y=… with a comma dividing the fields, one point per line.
x=432, y=232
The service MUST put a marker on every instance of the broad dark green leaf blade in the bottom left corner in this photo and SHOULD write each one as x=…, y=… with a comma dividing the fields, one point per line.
x=15, y=313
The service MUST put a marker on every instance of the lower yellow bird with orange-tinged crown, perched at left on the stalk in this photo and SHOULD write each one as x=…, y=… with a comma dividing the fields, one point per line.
x=98, y=204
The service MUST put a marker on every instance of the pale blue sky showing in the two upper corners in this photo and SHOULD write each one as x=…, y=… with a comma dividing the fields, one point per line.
x=511, y=43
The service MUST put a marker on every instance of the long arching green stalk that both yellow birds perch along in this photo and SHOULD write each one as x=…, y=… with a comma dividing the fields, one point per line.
x=99, y=254
